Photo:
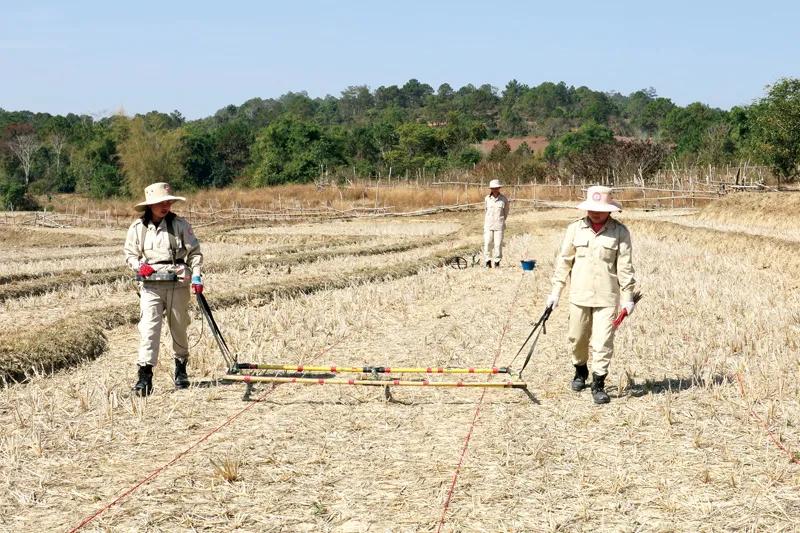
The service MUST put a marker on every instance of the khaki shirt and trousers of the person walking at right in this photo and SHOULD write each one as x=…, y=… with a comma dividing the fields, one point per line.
x=601, y=270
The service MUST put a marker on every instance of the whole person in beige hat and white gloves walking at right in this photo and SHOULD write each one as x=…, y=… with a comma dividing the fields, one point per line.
x=596, y=254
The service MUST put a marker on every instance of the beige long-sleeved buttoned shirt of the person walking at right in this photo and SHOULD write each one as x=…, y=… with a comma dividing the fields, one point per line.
x=600, y=265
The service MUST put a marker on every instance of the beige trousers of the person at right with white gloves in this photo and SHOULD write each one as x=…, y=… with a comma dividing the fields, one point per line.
x=591, y=327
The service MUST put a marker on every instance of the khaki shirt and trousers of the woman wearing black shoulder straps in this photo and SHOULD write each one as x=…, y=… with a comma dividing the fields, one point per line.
x=151, y=244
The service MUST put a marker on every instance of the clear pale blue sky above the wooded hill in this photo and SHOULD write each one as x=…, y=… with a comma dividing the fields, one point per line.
x=94, y=57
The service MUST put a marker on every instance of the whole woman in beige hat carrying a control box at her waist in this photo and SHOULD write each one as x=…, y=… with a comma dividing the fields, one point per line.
x=163, y=251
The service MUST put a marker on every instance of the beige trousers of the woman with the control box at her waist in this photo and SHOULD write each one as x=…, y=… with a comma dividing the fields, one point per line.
x=159, y=300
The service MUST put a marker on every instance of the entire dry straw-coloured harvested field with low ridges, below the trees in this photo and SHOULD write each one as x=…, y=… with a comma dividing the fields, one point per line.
x=701, y=433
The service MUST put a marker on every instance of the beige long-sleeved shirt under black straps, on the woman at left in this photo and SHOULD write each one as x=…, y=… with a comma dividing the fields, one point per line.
x=156, y=246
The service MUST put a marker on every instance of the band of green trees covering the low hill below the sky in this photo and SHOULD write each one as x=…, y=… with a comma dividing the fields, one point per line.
x=393, y=131
